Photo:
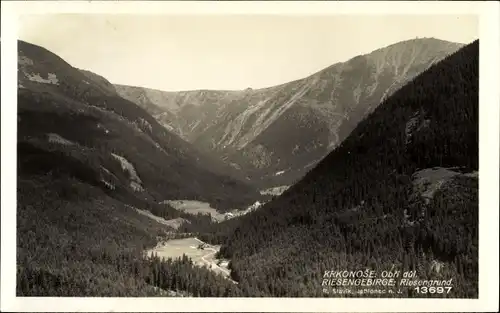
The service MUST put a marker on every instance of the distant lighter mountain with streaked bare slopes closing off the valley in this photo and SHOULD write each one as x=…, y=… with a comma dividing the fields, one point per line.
x=275, y=135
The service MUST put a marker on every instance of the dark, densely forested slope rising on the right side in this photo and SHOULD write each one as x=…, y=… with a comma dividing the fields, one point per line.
x=399, y=193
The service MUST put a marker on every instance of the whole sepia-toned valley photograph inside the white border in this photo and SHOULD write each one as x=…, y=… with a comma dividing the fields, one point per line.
x=248, y=156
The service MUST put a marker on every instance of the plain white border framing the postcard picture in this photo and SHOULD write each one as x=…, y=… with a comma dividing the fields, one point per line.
x=489, y=153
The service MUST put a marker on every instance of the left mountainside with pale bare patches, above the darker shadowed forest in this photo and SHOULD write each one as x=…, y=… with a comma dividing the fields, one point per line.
x=80, y=112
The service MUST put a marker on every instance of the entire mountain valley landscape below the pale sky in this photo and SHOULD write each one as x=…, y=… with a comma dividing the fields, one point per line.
x=368, y=163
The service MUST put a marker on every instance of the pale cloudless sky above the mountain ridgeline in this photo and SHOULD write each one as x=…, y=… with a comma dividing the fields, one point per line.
x=226, y=52
